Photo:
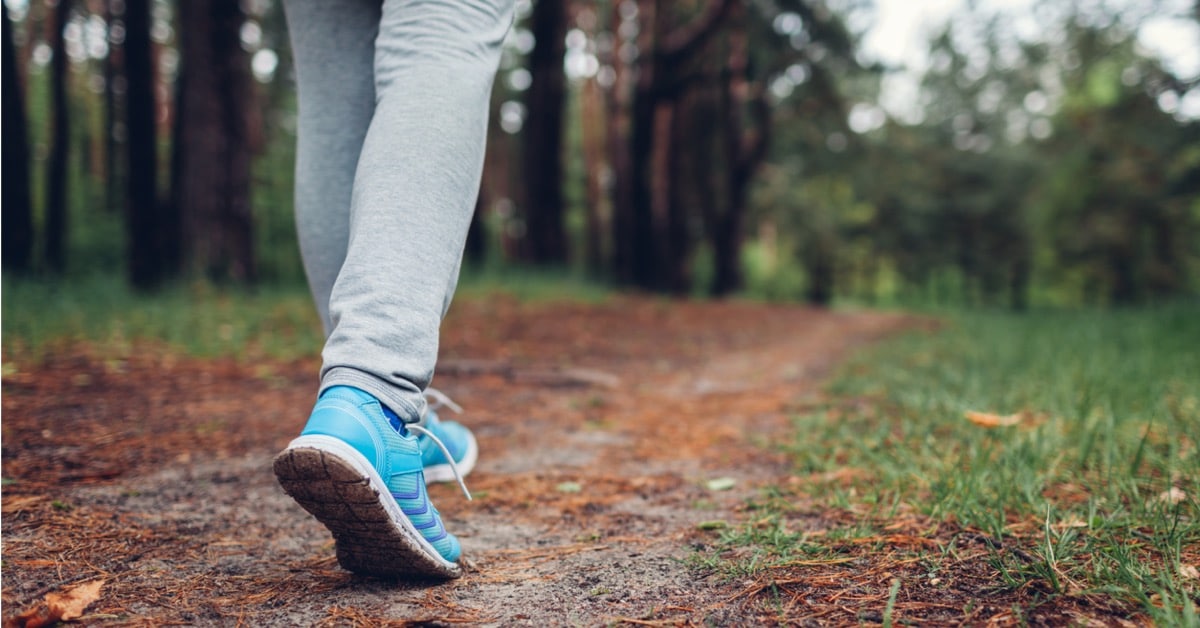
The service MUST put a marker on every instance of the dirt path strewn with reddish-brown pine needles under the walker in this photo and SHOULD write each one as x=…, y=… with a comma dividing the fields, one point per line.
x=601, y=428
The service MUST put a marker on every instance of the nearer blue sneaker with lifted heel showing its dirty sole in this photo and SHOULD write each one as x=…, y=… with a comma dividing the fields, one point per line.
x=364, y=481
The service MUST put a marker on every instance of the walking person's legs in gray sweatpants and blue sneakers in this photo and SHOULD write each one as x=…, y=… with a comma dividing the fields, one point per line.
x=359, y=465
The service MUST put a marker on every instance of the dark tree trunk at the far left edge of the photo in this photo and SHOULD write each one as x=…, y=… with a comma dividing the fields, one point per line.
x=19, y=213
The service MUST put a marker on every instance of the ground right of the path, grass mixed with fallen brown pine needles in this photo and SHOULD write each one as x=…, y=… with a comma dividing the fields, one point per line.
x=1036, y=468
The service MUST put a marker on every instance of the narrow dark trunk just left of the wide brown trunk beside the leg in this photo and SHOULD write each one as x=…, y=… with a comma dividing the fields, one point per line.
x=145, y=224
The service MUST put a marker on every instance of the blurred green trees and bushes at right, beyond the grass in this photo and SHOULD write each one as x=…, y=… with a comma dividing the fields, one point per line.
x=1037, y=172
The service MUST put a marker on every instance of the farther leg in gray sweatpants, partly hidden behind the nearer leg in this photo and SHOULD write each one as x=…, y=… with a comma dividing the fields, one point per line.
x=333, y=44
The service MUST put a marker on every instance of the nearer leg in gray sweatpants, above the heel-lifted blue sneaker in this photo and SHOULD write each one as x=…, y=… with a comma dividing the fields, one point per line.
x=415, y=193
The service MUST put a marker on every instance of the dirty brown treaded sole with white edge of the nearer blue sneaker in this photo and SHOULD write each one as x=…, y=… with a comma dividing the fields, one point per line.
x=338, y=486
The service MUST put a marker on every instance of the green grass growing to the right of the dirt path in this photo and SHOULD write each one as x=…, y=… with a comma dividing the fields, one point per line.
x=1111, y=423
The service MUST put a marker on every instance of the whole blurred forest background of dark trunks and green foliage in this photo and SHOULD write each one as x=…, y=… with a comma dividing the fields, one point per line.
x=682, y=147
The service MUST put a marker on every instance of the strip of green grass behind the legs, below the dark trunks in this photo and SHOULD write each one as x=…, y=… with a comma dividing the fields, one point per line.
x=202, y=320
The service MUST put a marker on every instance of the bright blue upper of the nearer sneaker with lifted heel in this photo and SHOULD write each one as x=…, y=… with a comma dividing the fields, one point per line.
x=359, y=420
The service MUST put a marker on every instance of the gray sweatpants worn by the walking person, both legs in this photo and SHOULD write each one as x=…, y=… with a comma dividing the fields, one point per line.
x=393, y=122
